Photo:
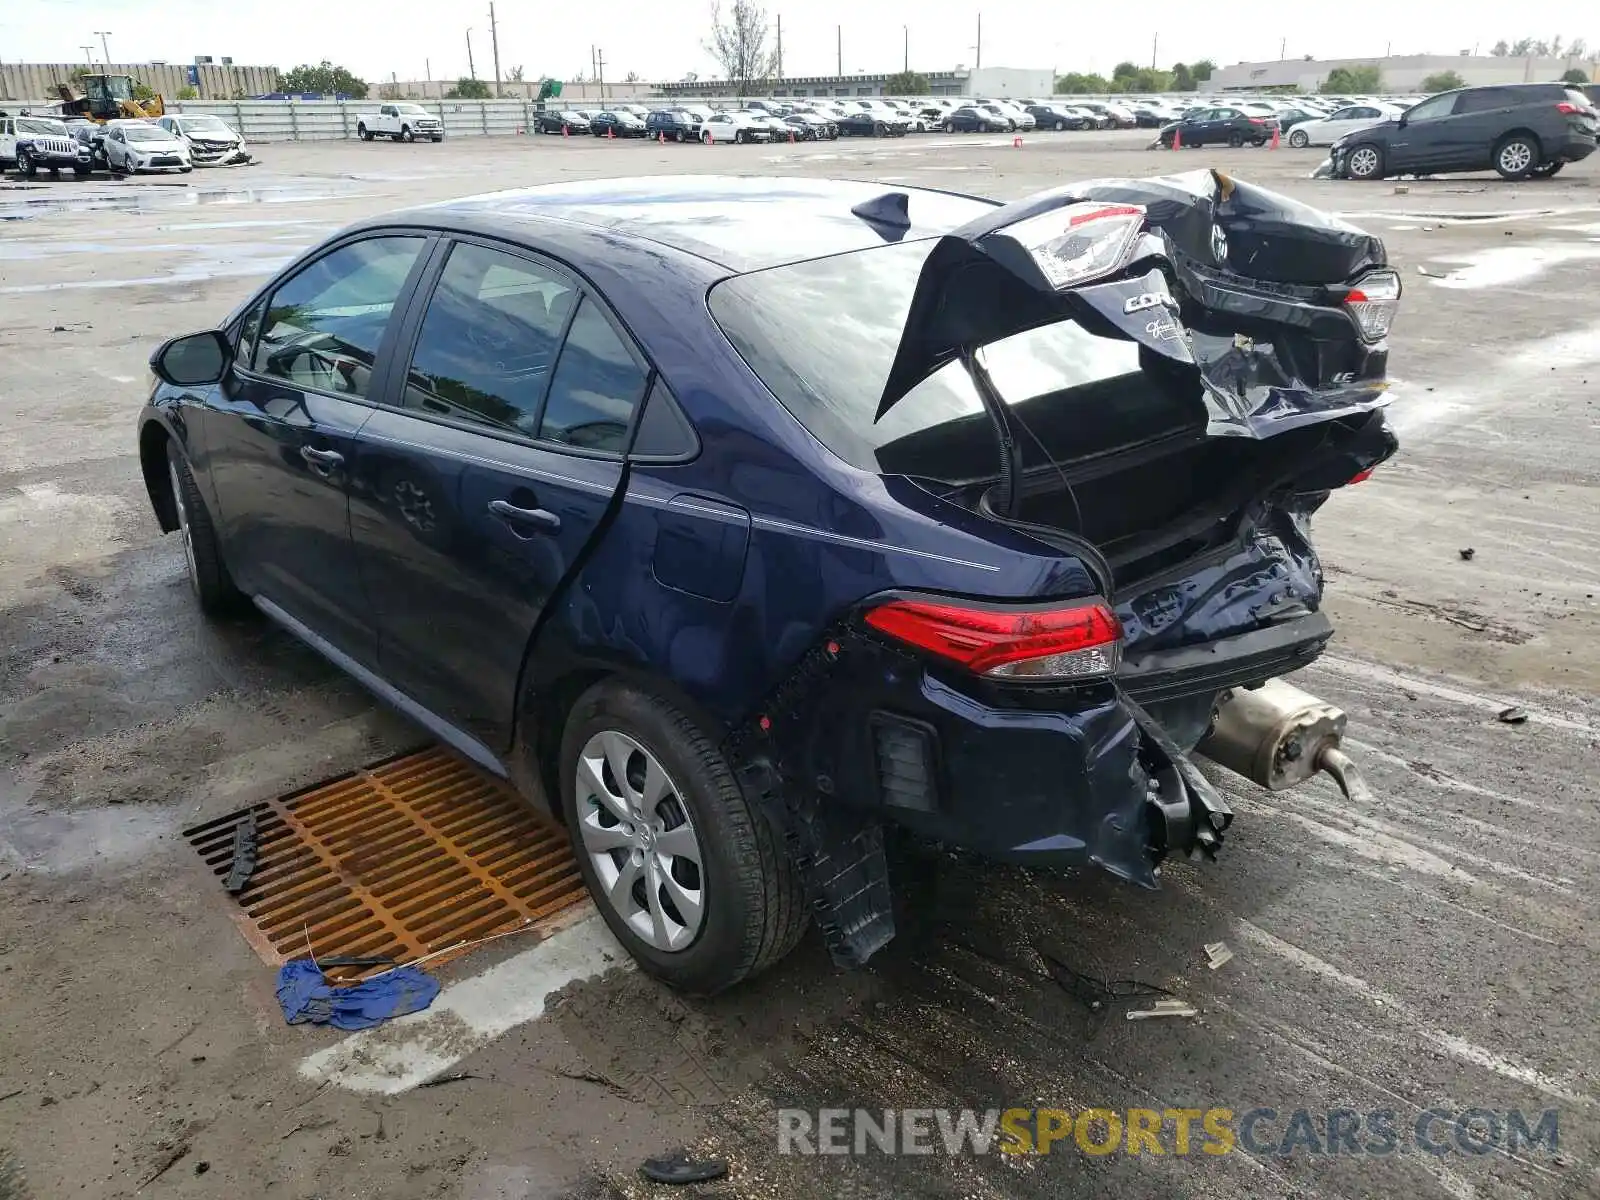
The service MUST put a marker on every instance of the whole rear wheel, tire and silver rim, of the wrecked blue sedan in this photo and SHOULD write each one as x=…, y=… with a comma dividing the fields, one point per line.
x=689, y=876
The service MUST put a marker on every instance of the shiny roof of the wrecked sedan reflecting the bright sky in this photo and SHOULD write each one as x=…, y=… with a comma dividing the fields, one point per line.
x=727, y=220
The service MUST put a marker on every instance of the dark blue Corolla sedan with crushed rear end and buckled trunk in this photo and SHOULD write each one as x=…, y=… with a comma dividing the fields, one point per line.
x=735, y=550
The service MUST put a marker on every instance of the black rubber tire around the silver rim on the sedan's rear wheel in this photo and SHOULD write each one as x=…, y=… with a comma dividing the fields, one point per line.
x=754, y=905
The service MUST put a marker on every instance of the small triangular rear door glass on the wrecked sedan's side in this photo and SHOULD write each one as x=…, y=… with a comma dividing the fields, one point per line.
x=596, y=390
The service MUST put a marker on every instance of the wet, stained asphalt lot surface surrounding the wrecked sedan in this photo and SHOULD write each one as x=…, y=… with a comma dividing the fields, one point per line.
x=1422, y=951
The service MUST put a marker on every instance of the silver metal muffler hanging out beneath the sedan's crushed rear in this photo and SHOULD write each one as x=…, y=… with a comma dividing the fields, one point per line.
x=1281, y=737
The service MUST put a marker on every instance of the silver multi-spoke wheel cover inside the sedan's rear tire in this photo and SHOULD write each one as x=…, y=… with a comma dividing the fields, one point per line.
x=641, y=842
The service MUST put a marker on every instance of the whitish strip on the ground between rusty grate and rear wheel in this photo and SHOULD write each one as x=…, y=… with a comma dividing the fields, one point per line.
x=468, y=1015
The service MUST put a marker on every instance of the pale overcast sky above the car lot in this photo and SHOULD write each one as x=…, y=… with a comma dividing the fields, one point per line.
x=663, y=39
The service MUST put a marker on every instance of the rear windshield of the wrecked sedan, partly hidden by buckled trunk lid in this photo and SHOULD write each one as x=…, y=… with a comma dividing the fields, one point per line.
x=823, y=334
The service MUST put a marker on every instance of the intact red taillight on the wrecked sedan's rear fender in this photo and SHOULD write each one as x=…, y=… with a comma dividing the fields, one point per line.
x=1079, y=641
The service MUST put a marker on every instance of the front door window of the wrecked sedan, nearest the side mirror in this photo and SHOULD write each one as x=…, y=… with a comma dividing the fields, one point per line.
x=324, y=326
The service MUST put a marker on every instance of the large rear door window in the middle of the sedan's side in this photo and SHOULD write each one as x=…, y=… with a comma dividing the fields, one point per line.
x=489, y=340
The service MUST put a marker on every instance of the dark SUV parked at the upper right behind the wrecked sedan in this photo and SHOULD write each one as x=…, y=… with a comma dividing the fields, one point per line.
x=1521, y=130
